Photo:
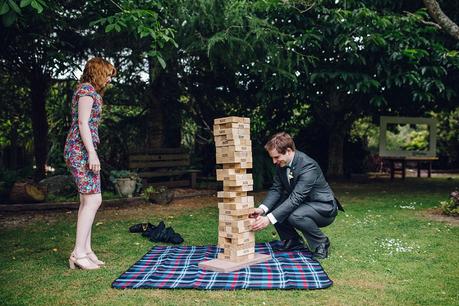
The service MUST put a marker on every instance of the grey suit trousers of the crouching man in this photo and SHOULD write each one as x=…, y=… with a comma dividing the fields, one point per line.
x=308, y=221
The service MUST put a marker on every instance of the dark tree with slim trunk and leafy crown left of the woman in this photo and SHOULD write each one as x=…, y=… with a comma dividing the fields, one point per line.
x=39, y=47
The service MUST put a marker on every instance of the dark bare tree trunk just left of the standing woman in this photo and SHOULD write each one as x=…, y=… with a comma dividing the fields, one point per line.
x=39, y=86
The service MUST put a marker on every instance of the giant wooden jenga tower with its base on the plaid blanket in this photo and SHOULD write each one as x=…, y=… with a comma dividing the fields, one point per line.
x=234, y=152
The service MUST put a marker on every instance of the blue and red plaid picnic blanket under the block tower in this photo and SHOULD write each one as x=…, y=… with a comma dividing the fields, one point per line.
x=171, y=267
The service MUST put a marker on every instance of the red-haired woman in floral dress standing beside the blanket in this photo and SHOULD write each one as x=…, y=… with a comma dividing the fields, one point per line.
x=81, y=156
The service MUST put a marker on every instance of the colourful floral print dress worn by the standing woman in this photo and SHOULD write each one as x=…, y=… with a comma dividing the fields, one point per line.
x=75, y=153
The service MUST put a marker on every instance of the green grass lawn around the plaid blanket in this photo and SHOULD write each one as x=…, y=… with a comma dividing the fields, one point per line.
x=385, y=251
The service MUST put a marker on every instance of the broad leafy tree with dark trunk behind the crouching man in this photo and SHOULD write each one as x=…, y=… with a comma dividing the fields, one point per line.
x=349, y=60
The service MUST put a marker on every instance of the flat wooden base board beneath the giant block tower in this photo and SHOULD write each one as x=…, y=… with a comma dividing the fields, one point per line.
x=223, y=265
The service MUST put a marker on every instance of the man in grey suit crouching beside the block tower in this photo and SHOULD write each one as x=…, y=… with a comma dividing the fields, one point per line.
x=299, y=199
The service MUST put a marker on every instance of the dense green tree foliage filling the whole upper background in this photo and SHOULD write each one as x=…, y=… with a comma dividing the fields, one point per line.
x=289, y=65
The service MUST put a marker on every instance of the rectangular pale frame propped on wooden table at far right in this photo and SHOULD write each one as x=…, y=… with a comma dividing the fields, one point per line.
x=407, y=137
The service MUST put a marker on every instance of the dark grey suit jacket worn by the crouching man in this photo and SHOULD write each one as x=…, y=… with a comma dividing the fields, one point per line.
x=307, y=187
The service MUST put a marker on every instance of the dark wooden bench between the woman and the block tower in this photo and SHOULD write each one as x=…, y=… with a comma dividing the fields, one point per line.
x=164, y=167
